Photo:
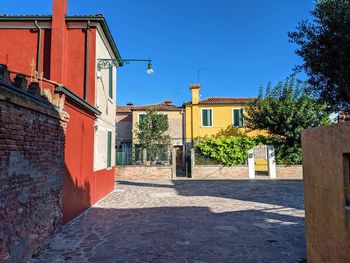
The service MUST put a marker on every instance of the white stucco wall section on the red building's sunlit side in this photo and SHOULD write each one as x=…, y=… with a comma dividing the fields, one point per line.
x=107, y=106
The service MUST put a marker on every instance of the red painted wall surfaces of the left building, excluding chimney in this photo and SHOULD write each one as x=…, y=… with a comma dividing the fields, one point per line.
x=82, y=187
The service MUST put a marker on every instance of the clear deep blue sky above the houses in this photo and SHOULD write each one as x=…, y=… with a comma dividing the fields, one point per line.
x=242, y=43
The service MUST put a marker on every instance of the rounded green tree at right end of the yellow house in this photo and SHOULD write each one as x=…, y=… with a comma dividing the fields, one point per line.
x=284, y=111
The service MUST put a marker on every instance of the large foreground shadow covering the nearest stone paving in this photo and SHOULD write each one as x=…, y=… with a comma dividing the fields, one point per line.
x=179, y=234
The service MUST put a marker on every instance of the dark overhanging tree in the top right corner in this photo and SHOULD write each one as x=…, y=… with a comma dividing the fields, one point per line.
x=324, y=45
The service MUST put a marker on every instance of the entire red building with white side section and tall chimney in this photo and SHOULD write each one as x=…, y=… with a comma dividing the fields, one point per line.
x=66, y=50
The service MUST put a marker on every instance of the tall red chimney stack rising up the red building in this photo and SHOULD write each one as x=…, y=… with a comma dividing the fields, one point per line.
x=58, y=39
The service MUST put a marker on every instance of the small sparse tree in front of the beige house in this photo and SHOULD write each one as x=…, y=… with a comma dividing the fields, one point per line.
x=152, y=135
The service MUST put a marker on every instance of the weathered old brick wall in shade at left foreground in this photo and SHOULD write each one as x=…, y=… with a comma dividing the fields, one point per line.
x=32, y=136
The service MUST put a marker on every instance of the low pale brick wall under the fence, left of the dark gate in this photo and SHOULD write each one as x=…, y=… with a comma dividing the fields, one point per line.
x=143, y=172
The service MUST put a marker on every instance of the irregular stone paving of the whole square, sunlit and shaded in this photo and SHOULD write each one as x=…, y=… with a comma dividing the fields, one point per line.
x=188, y=221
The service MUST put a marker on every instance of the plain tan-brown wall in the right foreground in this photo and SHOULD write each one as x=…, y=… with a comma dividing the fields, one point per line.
x=326, y=183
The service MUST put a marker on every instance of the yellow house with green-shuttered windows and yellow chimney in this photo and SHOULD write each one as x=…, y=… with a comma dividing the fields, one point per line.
x=214, y=115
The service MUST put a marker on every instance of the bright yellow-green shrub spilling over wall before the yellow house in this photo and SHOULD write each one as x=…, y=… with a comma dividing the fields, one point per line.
x=225, y=150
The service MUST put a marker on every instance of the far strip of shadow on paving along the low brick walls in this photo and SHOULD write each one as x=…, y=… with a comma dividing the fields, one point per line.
x=288, y=193
